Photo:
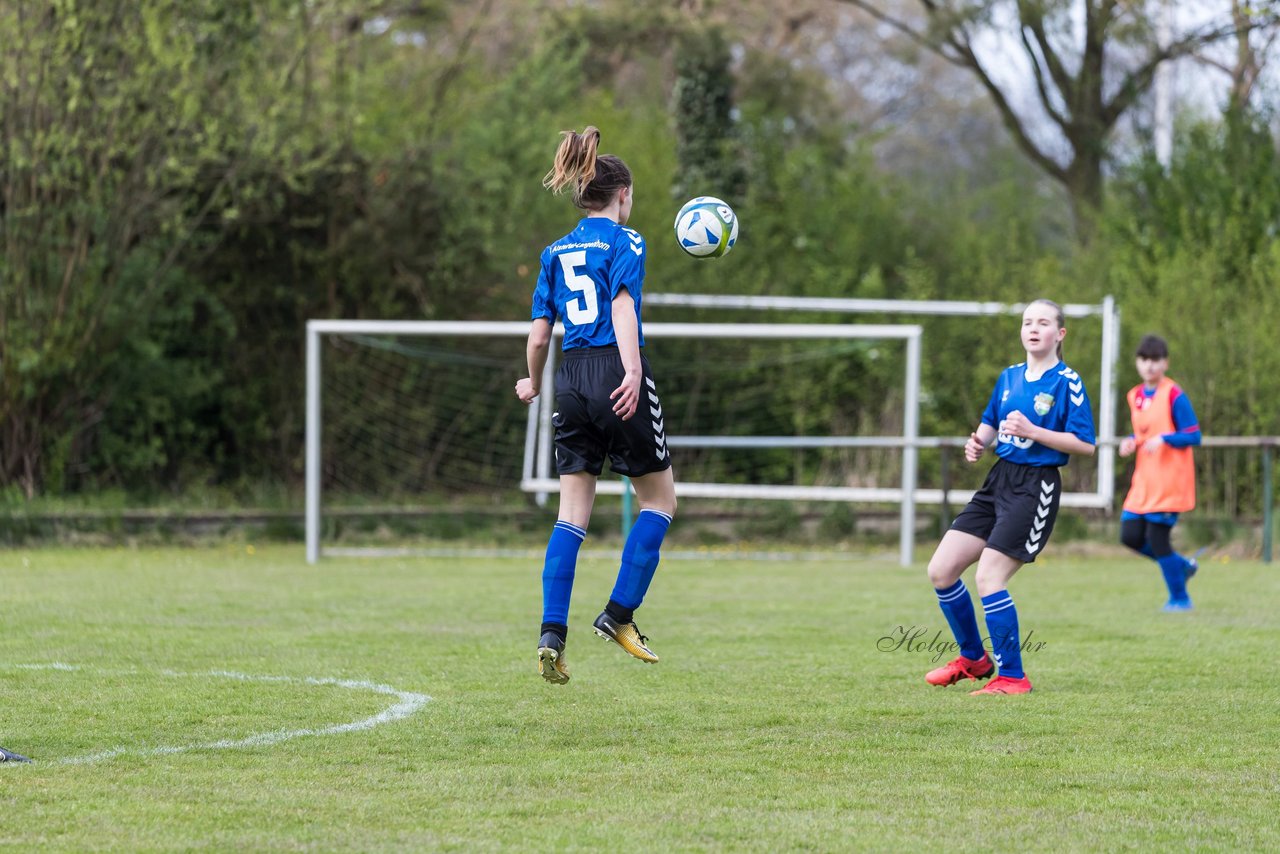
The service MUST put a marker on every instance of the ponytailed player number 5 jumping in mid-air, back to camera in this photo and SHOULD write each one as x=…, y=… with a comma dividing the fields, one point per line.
x=606, y=399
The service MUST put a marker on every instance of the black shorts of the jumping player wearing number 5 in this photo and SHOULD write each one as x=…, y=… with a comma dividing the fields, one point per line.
x=587, y=428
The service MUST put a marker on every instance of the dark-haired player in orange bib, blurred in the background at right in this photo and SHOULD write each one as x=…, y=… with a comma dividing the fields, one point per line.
x=1164, y=478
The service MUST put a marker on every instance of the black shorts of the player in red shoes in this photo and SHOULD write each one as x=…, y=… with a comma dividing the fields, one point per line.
x=1016, y=509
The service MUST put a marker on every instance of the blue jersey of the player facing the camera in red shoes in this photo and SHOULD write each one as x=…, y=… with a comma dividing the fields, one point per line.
x=1057, y=401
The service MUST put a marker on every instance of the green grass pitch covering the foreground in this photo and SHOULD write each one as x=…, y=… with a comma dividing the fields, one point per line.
x=225, y=700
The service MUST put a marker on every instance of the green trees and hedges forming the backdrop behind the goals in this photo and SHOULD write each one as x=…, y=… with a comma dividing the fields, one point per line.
x=188, y=184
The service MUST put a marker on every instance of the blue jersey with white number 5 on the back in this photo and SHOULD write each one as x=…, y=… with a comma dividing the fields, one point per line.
x=583, y=273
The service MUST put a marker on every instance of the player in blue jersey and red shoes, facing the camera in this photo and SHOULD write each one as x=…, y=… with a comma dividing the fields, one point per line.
x=1039, y=415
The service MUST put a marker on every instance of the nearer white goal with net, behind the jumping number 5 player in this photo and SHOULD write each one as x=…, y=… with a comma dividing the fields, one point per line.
x=415, y=435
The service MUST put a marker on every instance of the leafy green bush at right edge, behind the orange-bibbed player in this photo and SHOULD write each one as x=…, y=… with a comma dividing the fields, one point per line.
x=1195, y=257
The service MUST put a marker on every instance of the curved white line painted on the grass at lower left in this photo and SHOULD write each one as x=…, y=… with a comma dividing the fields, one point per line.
x=408, y=705
